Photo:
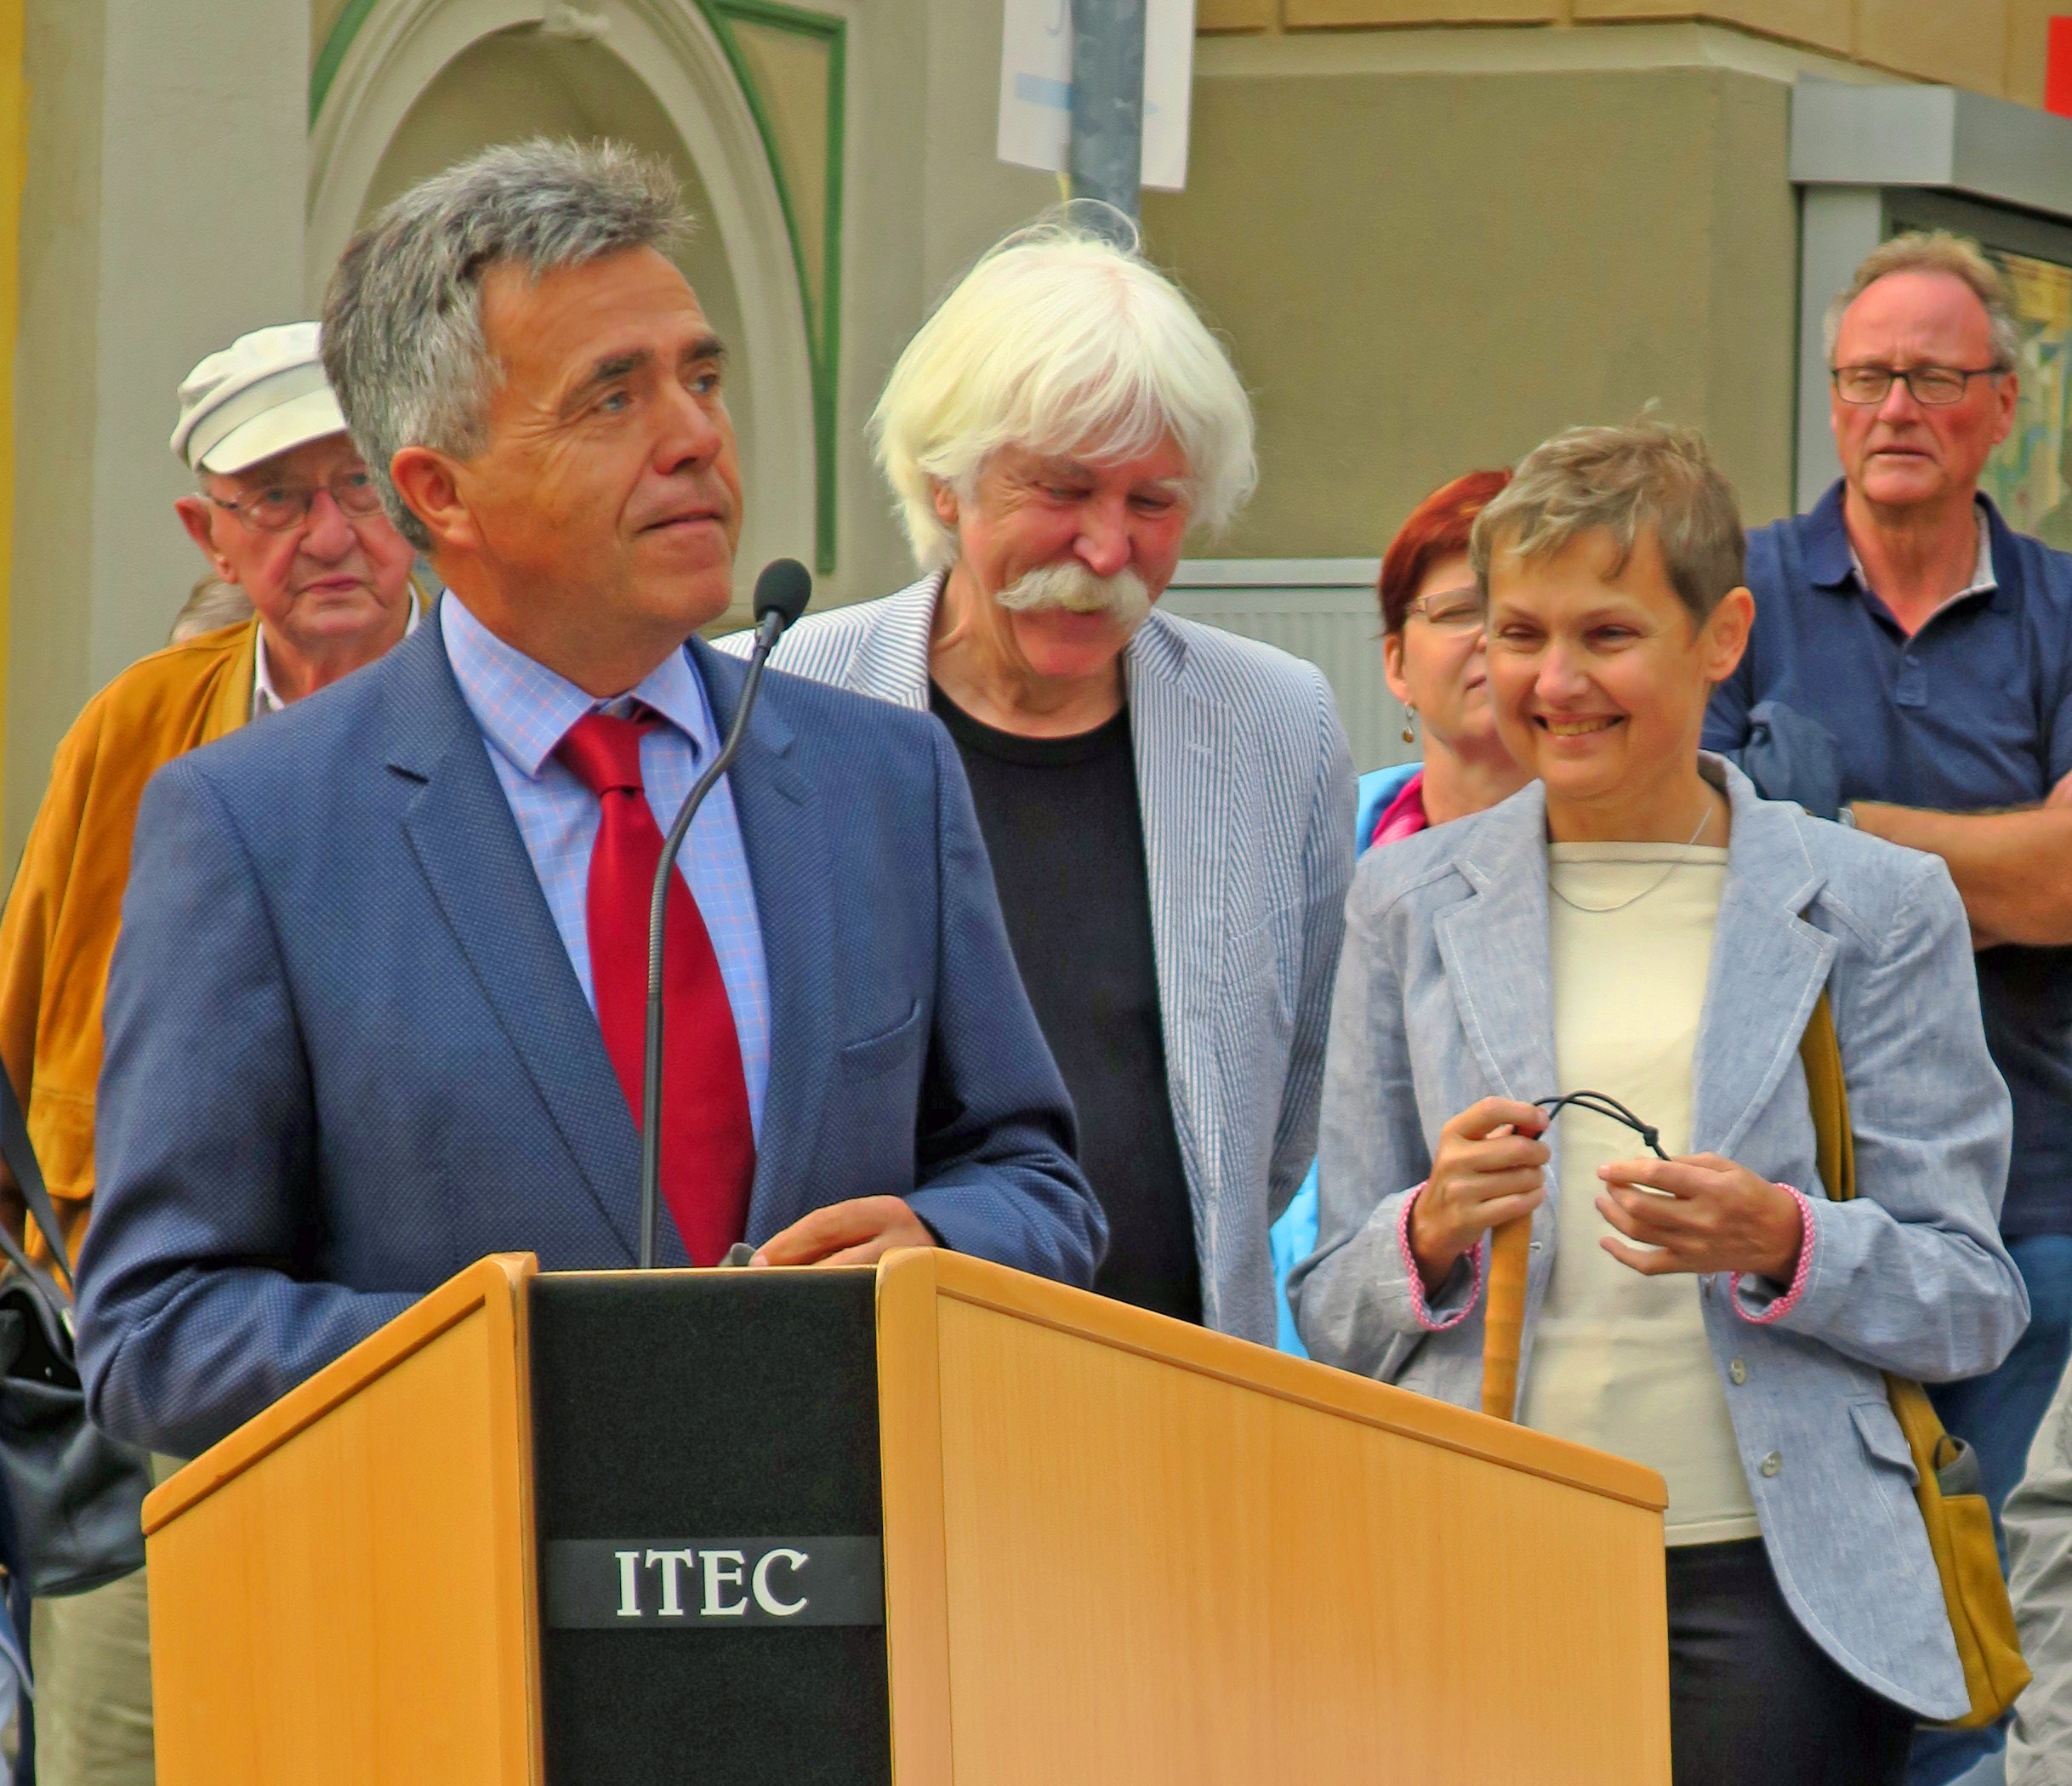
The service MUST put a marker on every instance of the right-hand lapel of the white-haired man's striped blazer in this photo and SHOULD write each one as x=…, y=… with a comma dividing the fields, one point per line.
x=1182, y=745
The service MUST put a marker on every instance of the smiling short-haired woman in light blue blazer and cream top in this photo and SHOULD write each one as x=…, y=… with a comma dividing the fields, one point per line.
x=1584, y=1008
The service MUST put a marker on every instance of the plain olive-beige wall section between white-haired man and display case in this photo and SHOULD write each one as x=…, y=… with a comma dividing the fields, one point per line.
x=1433, y=250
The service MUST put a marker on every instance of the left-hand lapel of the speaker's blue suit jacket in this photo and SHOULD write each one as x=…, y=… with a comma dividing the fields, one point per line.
x=471, y=855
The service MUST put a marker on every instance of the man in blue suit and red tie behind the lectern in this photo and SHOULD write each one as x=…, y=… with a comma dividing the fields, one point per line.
x=376, y=1004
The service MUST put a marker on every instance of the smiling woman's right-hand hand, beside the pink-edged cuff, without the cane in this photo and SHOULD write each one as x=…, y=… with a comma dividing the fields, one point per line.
x=1702, y=1215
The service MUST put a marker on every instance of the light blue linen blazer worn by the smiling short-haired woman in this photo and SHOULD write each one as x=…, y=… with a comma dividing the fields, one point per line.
x=1443, y=1000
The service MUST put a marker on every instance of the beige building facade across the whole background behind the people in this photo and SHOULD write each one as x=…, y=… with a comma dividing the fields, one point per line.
x=1431, y=229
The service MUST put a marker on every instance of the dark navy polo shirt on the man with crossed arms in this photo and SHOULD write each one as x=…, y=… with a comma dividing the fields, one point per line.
x=1972, y=714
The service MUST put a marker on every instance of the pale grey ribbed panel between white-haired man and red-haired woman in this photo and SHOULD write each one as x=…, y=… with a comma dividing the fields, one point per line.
x=1317, y=608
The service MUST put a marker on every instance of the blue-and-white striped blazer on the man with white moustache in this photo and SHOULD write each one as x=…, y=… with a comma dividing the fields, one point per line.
x=1246, y=788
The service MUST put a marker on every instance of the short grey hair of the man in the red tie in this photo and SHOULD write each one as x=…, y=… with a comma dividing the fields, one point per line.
x=403, y=322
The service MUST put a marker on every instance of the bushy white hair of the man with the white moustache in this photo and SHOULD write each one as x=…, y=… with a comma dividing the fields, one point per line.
x=1062, y=343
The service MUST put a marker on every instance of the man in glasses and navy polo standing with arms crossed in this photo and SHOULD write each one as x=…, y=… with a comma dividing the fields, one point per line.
x=1936, y=647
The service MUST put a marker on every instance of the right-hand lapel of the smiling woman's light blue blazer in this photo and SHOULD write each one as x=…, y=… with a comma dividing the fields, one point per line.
x=1768, y=967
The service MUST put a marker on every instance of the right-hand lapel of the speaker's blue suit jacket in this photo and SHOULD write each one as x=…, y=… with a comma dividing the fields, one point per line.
x=793, y=867
